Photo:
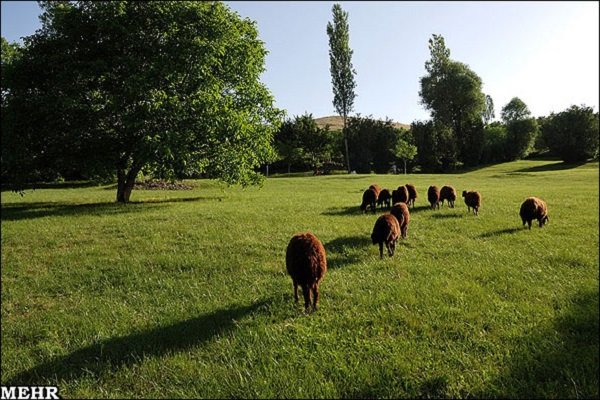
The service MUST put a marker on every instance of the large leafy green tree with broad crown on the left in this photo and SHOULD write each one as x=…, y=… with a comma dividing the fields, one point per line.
x=117, y=86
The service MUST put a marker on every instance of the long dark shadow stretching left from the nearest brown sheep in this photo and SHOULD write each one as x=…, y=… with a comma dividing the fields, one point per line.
x=115, y=353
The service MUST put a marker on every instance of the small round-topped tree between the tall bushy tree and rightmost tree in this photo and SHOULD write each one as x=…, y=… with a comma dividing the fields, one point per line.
x=520, y=127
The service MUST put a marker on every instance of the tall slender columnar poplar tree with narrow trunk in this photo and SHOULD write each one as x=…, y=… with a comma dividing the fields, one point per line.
x=342, y=71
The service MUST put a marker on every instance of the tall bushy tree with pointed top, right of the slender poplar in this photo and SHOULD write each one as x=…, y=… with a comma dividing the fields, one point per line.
x=452, y=93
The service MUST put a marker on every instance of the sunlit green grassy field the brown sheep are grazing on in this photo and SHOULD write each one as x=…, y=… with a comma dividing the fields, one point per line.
x=185, y=294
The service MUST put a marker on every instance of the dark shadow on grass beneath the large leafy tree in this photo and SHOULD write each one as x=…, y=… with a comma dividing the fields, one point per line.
x=23, y=211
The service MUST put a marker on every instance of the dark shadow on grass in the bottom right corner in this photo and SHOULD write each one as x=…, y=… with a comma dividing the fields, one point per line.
x=560, y=361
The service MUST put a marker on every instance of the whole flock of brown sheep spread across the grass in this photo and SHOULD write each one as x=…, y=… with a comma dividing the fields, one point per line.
x=306, y=260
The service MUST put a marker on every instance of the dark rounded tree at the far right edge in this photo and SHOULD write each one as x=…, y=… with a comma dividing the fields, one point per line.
x=573, y=133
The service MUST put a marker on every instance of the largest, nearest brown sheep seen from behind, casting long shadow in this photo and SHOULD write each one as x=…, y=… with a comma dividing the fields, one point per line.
x=306, y=263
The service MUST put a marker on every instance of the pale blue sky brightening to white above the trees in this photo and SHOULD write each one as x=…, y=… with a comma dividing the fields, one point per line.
x=545, y=53
